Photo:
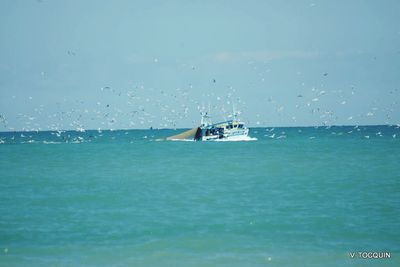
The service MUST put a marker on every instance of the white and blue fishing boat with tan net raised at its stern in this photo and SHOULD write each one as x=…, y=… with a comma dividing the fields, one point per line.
x=230, y=130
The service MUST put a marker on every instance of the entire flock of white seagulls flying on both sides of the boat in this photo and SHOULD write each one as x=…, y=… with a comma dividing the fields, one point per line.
x=146, y=107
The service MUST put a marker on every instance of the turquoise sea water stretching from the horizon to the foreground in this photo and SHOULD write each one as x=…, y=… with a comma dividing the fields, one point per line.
x=295, y=197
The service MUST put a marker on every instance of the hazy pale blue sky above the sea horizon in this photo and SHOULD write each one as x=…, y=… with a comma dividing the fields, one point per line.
x=284, y=63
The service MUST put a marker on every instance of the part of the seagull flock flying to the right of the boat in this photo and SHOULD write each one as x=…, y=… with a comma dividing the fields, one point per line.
x=323, y=104
